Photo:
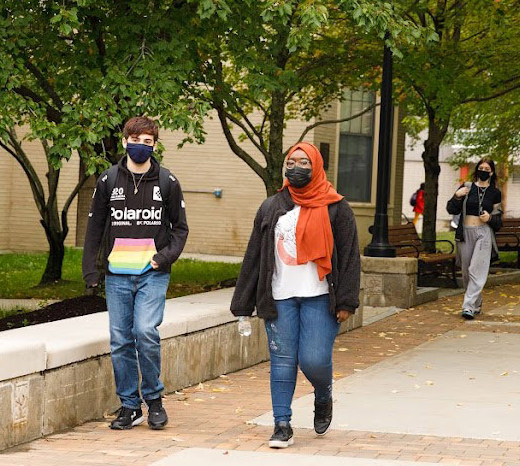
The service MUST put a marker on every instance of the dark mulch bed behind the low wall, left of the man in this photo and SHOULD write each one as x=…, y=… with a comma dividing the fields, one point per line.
x=73, y=307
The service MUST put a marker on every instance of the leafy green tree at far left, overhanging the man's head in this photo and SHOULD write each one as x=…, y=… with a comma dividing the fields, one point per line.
x=72, y=73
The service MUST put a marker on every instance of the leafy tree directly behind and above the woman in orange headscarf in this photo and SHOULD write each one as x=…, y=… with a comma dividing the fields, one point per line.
x=262, y=63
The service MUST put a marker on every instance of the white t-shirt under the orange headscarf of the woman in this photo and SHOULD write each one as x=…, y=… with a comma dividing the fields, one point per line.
x=291, y=280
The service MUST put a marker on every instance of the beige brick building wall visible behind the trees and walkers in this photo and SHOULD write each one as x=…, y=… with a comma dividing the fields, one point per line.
x=217, y=225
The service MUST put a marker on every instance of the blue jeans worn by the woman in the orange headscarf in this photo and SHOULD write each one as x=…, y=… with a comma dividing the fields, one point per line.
x=304, y=334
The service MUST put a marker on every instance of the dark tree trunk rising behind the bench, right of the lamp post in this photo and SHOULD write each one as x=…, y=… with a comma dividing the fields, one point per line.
x=432, y=170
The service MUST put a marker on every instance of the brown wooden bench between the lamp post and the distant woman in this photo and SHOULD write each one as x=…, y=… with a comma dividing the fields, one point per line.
x=408, y=244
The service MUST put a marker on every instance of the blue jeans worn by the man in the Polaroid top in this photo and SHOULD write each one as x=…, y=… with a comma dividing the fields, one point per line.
x=135, y=309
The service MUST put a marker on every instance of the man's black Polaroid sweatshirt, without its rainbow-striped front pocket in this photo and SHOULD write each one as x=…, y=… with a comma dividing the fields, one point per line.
x=123, y=214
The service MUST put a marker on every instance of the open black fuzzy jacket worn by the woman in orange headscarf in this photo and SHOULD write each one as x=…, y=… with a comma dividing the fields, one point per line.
x=253, y=288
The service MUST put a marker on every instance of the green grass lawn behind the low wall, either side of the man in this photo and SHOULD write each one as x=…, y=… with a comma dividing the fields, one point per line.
x=21, y=273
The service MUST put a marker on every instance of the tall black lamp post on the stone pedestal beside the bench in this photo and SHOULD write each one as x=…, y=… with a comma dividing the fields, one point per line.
x=380, y=247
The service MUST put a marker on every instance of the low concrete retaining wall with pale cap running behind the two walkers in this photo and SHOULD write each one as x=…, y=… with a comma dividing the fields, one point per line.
x=59, y=375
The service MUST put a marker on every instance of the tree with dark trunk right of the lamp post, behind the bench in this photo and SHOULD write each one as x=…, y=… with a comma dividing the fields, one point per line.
x=474, y=60
